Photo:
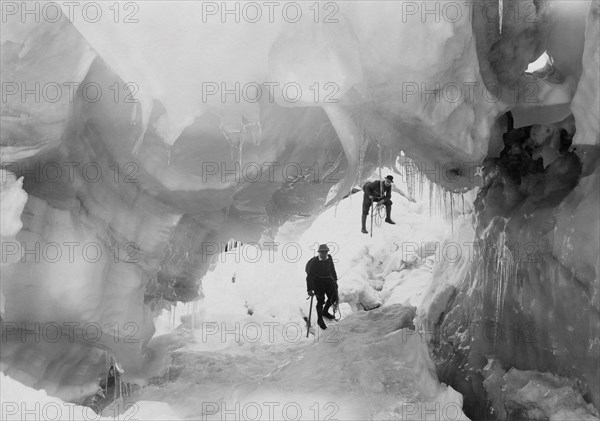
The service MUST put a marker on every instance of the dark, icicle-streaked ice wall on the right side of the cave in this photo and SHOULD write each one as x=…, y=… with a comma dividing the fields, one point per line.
x=529, y=299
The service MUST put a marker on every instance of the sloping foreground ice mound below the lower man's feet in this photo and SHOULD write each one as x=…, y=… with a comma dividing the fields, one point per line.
x=366, y=366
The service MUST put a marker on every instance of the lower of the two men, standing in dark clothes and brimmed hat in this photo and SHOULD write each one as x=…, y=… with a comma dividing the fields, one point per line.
x=321, y=280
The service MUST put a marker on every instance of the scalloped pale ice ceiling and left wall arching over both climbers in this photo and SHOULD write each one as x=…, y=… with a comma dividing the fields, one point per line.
x=142, y=165
